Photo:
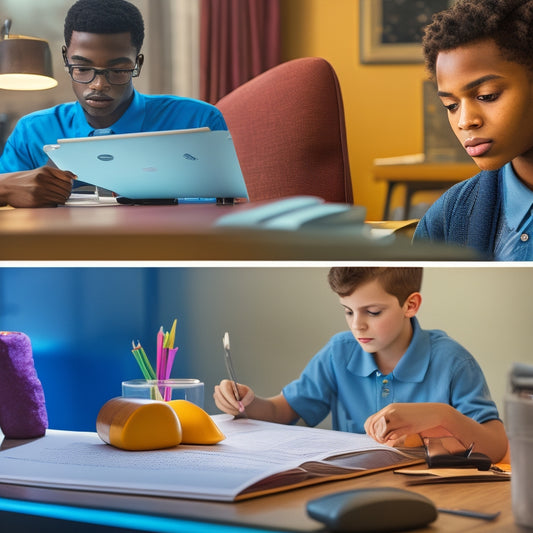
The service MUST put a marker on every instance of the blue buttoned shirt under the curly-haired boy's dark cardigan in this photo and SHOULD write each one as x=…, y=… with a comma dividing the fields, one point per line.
x=514, y=238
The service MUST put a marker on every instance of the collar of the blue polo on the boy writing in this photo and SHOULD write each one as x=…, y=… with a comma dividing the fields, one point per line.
x=411, y=367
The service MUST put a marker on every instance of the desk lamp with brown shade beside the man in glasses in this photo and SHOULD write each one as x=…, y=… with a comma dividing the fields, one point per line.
x=25, y=62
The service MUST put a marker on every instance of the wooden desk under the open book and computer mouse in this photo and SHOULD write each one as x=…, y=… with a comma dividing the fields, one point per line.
x=285, y=511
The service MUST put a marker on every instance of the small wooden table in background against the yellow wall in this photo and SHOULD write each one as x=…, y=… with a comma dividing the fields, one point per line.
x=420, y=177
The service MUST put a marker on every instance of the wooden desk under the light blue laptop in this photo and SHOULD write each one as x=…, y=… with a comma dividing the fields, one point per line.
x=184, y=232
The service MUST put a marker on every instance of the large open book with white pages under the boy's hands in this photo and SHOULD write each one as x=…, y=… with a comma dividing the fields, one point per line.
x=255, y=458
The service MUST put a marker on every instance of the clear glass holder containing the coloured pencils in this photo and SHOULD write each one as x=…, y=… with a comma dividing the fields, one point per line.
x=191, y=390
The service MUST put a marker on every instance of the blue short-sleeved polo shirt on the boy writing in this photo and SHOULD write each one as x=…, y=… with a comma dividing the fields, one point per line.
x=344, y=379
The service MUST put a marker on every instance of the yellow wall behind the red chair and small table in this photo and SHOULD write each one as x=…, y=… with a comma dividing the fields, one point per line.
x=382, y=103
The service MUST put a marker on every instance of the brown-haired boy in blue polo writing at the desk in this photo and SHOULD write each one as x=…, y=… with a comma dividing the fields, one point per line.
x=385, y=376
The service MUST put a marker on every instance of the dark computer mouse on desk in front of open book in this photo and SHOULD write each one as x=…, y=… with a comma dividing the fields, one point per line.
x=373, y=509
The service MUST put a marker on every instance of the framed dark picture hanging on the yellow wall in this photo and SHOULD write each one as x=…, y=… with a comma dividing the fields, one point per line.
x=391, y=31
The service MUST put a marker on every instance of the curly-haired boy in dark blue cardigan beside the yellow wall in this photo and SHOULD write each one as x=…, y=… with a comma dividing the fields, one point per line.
x=480, y=53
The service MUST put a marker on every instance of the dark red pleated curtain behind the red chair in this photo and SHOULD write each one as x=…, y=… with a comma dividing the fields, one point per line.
x=239, y=39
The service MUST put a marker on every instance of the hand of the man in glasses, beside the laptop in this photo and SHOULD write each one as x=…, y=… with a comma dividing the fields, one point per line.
x=43, y=187
